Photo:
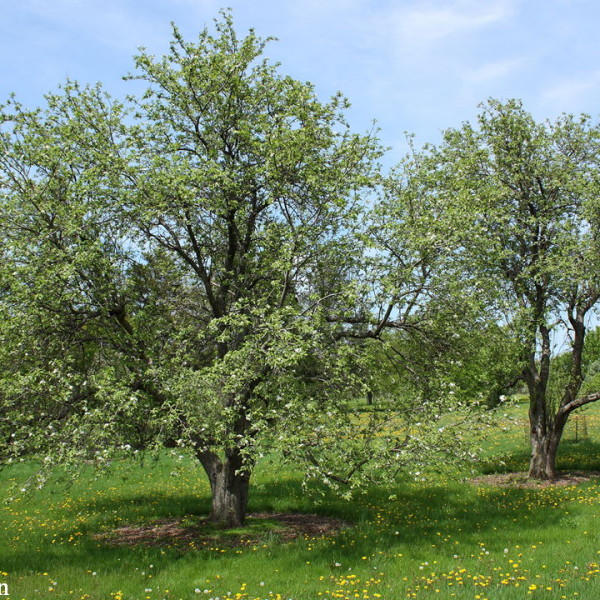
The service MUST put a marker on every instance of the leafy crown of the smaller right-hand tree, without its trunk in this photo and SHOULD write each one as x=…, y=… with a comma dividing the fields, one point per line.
x=521, y=191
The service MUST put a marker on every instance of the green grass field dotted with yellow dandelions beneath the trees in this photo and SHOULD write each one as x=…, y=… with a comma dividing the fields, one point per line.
x=441, y=538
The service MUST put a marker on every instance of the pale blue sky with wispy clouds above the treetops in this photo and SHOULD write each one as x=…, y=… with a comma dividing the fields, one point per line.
x=413, y=65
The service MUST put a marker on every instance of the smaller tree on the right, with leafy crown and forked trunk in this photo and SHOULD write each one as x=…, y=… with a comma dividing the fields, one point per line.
x=519, y=200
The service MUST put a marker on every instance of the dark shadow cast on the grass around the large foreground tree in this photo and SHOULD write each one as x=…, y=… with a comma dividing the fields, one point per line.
x=412, y=516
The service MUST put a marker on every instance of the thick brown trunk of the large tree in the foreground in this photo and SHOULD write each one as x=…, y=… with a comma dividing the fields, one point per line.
x=229, y=487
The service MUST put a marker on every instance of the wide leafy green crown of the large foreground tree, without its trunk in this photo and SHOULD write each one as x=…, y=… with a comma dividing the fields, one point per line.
x=199, y=267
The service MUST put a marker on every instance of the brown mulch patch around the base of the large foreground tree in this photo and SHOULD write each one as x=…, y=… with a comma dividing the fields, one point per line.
x=200, y=534
